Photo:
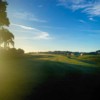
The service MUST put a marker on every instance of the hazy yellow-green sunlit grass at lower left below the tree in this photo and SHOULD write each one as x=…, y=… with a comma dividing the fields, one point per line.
x=17, y=76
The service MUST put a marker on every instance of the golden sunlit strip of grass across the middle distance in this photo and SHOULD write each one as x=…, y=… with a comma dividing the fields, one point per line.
x=65, y=59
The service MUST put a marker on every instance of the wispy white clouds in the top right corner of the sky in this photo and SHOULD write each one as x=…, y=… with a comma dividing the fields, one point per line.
x=91, y=7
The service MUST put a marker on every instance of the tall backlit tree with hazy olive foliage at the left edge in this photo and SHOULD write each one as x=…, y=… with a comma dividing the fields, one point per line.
x=6, y=36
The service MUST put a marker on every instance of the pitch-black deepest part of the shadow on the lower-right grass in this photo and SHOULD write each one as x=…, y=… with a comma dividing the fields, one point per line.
x=71, y=87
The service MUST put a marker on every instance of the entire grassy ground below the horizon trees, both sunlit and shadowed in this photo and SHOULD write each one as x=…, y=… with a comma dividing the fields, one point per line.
x=25, y=78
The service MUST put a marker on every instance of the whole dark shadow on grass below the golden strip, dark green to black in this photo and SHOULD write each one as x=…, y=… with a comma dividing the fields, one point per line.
x=68, y=82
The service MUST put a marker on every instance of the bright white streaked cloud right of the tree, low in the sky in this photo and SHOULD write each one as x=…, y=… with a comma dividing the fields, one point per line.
x=27, y=32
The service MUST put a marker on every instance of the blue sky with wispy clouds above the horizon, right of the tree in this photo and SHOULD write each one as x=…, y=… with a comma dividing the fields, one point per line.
x=49, y=25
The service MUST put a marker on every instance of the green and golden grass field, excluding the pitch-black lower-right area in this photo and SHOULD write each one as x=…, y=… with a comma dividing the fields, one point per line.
x=20, y=76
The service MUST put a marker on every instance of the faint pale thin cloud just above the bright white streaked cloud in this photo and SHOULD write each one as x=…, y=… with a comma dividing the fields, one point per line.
x=27, y=16
